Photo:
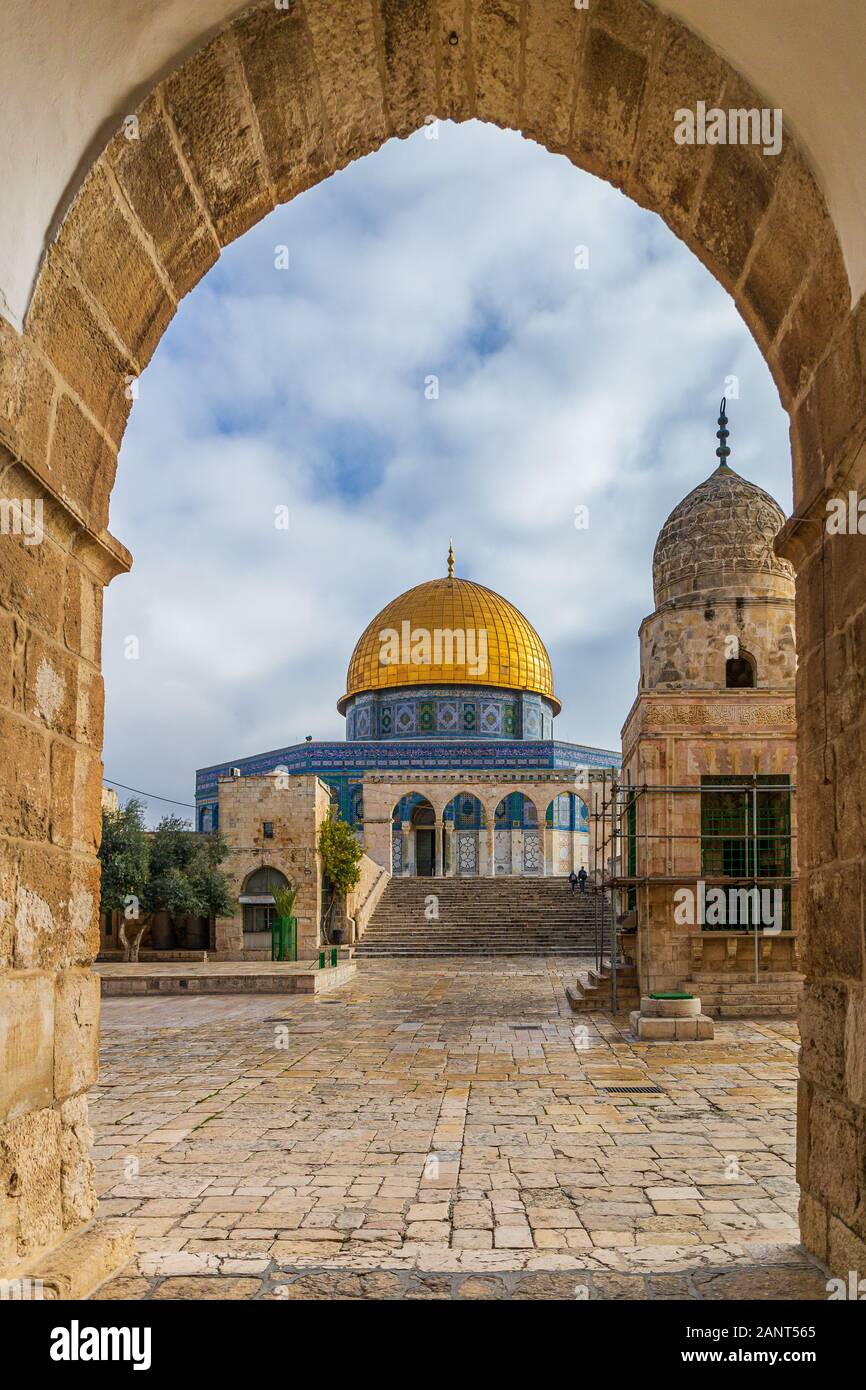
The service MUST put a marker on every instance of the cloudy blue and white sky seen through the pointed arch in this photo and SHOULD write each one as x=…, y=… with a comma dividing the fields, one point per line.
x=561, y=384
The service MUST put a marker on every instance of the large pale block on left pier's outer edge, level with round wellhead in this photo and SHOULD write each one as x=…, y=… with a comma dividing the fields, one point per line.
x=27, y=1042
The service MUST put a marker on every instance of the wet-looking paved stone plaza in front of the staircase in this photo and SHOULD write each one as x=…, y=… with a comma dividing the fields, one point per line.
x=446, y=1129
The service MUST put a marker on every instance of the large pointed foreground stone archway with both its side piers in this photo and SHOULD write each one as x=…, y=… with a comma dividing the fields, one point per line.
x=277, y=102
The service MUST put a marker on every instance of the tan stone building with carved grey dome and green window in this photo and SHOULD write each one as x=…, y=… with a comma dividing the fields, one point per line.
x=707, y=806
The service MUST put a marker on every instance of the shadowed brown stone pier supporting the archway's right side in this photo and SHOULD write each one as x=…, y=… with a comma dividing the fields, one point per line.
x=832, y=736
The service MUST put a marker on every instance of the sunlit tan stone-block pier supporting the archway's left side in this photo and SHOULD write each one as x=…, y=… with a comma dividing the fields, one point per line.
x=51, y=735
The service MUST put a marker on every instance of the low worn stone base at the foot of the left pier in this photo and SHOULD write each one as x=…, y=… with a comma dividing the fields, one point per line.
x=81, y=1263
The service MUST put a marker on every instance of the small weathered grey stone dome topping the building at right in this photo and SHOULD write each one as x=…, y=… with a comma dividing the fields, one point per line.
x=719, y=543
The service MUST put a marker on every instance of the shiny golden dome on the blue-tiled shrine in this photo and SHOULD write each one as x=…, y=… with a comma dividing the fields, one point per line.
x=501, y=648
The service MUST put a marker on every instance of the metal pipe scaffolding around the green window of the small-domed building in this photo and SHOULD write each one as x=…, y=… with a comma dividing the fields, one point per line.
x=753, y=846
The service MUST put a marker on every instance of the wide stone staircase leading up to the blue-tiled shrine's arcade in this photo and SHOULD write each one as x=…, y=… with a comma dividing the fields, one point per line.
x=505, y=917
